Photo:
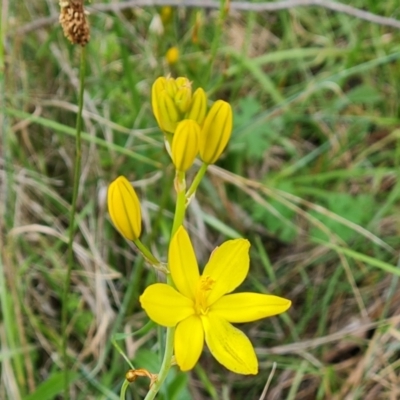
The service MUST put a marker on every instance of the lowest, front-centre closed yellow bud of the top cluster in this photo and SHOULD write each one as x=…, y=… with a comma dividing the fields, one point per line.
x=185, y=144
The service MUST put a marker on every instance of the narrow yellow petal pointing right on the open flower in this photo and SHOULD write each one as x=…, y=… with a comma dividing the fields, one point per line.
x=246, y=307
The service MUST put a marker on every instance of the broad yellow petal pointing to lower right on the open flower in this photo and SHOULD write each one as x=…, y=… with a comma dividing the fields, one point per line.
x=230, y=346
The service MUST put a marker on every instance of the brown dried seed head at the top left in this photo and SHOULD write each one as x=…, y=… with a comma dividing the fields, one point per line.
x=73, y=21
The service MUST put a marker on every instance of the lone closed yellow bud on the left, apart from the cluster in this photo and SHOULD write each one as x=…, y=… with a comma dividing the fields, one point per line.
x=124, y=208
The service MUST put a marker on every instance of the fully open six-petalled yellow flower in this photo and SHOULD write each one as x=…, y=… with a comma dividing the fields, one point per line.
x=202, y=309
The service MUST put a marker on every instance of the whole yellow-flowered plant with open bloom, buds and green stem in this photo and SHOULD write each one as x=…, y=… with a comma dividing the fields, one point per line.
x=194, y=308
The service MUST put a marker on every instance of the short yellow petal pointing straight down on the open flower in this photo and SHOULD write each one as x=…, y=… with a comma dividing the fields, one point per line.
x=189, y=342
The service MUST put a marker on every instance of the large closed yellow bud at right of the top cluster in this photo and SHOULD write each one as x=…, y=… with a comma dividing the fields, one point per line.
x=216, y=131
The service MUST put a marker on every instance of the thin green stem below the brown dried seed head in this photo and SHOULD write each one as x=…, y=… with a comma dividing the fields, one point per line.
x=70, y=251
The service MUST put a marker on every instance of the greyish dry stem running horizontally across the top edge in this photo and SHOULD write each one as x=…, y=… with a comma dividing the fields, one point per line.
x=236, y=5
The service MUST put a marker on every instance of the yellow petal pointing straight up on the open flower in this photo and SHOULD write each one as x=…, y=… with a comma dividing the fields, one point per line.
x=183, y=264
